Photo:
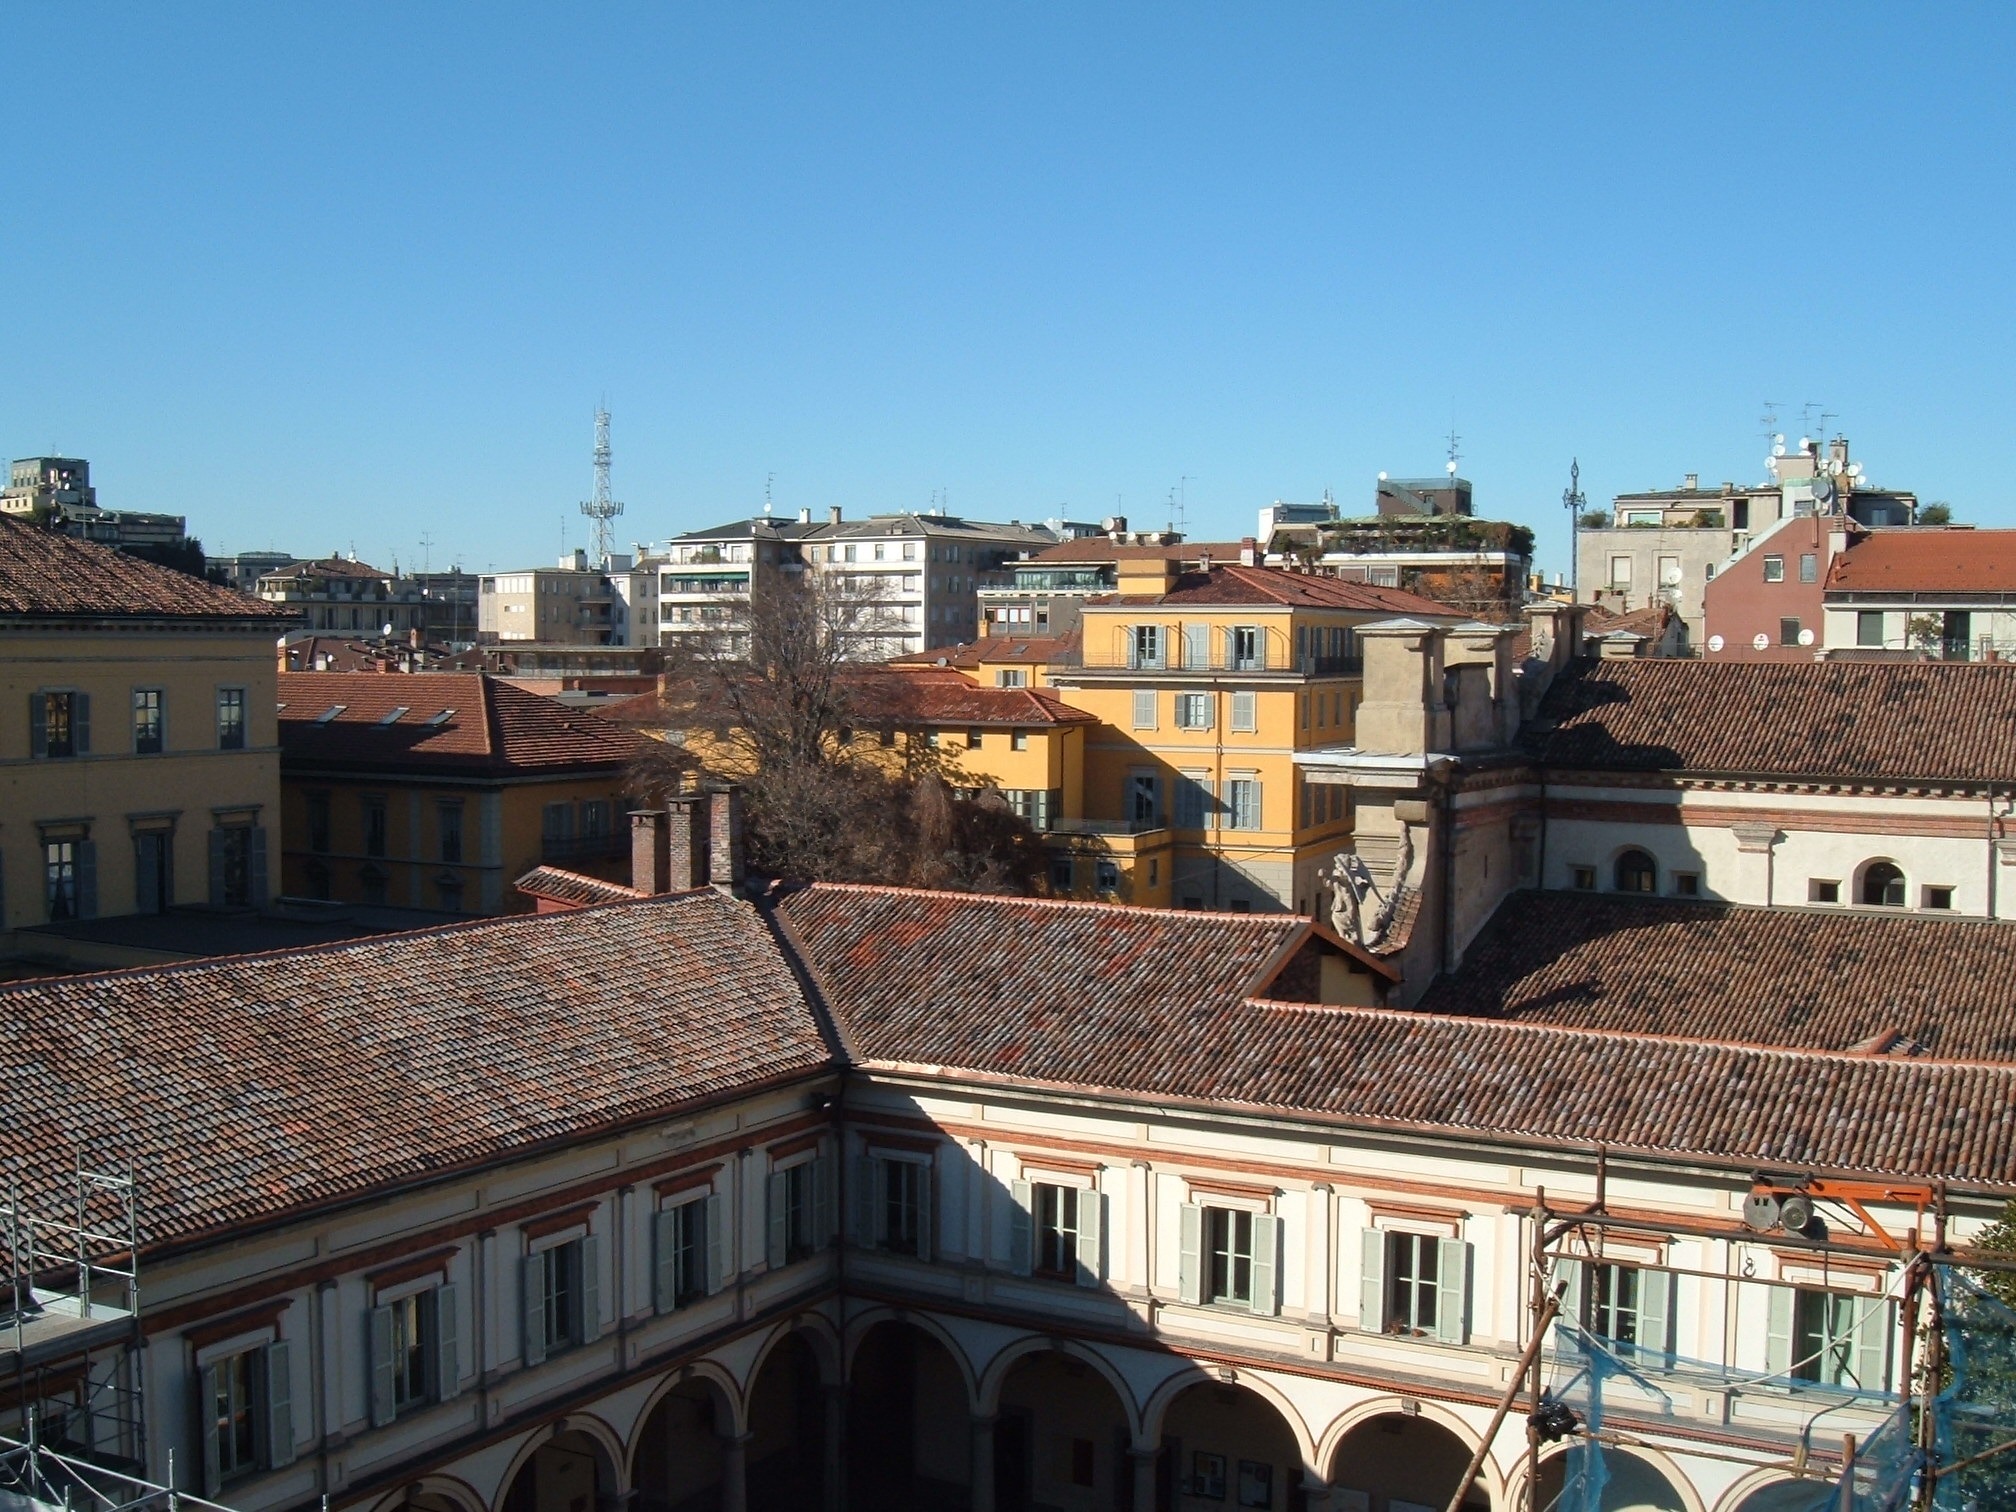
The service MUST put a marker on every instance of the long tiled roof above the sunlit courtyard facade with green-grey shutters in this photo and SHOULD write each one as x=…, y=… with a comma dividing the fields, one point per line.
x=1086, y=999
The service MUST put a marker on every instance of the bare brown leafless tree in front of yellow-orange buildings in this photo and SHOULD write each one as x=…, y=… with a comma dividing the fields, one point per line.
x=773, y=697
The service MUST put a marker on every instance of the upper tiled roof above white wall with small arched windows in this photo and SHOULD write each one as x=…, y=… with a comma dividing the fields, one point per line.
x=1900, y=723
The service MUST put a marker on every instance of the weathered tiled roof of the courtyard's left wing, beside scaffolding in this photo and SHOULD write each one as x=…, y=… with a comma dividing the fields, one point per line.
x=251, y=1088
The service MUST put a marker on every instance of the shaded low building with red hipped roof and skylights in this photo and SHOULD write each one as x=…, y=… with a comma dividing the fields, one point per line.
x=436, y=791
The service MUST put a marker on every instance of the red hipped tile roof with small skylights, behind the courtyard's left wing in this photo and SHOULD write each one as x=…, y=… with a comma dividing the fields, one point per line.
x=449, y=721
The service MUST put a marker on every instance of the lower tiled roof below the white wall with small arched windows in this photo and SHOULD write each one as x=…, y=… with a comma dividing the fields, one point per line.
x=1830, y=981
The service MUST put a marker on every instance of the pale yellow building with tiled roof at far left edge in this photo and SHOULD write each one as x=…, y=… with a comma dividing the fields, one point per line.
x=140, y=765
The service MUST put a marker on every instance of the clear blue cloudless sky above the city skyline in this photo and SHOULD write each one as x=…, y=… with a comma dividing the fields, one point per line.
x=330, y=275
